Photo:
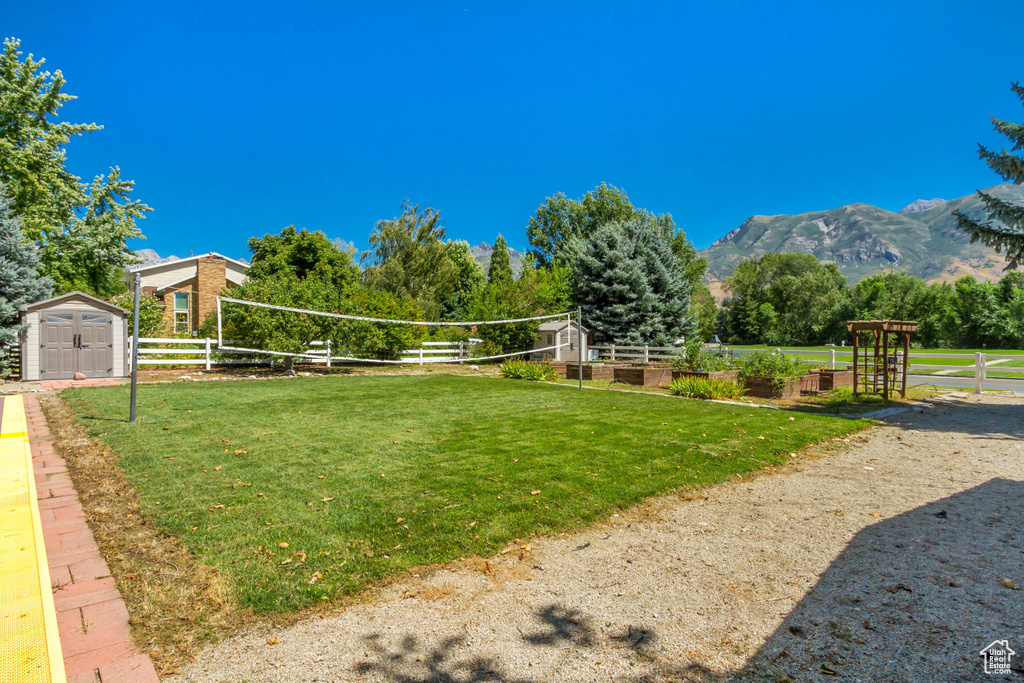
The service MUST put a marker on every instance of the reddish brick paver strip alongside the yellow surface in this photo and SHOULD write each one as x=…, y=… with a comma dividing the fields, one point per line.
x=92, y=617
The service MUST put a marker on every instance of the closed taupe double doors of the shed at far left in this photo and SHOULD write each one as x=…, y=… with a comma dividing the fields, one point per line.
x=76, y=343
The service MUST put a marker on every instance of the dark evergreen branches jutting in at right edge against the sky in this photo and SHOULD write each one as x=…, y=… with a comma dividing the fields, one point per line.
x=1007, y=235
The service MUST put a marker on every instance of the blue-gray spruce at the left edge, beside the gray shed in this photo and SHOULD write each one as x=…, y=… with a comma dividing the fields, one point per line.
x=21, y=283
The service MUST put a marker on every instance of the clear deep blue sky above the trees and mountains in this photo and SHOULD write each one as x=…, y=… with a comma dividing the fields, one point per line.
x=239, y=119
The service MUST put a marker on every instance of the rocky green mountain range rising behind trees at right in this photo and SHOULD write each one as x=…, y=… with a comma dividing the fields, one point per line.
x=922, y=239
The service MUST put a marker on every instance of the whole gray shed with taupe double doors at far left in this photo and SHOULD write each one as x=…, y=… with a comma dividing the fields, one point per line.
x=74, y=333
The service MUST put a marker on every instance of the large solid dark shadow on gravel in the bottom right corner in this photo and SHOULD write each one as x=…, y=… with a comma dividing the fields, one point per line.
x=912, y=599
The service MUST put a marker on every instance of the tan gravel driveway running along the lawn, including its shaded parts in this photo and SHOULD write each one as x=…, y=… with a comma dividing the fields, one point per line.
x=880, y=563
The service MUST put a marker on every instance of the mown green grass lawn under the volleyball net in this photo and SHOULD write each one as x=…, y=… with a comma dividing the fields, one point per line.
x=364, y=478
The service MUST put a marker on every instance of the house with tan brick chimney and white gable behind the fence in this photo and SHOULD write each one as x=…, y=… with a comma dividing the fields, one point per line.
x=188, y=288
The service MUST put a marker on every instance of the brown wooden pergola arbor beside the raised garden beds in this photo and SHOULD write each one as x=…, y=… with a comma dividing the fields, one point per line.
x=892, y=372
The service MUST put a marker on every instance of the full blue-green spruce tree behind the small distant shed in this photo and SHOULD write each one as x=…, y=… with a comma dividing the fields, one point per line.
x=631, y=286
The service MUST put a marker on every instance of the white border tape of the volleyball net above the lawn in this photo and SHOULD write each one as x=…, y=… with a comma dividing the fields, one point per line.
x=321, y=357
